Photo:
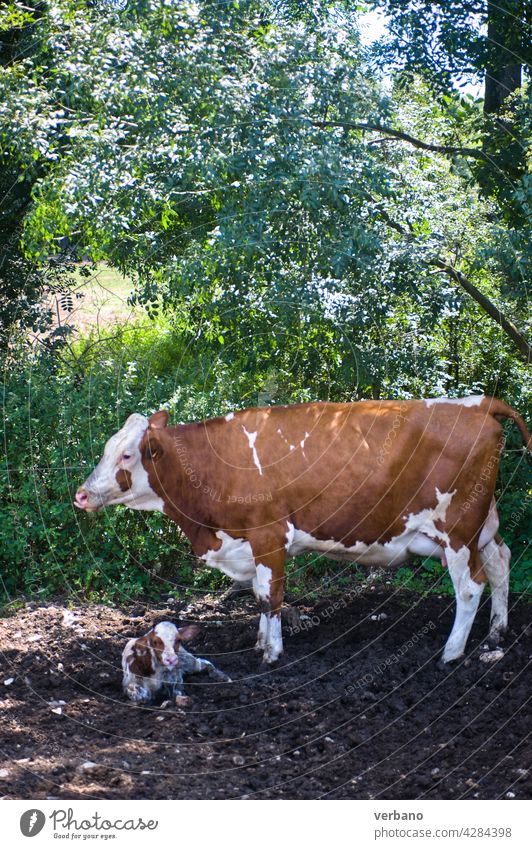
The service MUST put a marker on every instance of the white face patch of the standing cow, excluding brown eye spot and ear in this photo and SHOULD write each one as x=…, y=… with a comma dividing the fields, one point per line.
x=102, y=486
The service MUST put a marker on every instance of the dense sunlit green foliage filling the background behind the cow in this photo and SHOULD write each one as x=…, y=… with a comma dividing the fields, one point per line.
x=297, y=227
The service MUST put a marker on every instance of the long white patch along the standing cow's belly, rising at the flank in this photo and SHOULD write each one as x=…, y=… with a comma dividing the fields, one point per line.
x=420, y=537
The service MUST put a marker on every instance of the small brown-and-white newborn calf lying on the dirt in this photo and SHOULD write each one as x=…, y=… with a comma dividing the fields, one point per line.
x=157, y=662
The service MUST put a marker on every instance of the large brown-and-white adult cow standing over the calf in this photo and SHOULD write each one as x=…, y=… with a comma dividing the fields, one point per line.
x=372, y=481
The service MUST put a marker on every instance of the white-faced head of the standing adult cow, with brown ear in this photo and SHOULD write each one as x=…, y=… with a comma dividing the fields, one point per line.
x=121, y=476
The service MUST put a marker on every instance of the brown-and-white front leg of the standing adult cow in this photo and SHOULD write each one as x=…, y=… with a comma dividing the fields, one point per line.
x=268, y=586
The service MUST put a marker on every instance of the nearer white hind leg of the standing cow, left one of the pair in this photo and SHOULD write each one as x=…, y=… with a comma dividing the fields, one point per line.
x=463, y=565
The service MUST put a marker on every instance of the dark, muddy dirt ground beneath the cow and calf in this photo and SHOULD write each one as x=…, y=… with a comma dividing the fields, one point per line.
x=357, y=708
